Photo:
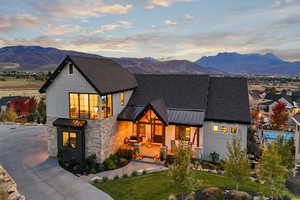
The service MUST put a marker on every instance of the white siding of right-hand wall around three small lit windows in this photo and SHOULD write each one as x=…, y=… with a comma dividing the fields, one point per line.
x=217, y=141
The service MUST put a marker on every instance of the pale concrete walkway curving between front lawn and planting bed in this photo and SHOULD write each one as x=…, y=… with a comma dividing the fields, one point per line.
x=128, y=169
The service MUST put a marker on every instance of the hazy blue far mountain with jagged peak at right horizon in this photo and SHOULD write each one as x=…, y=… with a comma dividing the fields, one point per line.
x=260, y=64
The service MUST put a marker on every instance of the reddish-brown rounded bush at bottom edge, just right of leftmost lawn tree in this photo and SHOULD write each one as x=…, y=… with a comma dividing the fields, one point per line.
x=212, y=193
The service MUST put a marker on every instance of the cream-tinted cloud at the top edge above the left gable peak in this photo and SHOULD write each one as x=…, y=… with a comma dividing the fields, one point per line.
x=79, y=8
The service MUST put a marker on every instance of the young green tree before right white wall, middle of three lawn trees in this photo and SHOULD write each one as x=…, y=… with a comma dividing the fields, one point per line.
x=236, y=164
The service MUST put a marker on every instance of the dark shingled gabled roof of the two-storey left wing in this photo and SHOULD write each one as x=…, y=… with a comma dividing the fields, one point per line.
x=104, y=75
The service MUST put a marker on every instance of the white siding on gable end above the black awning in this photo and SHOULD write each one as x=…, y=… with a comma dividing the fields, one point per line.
x=57, y=95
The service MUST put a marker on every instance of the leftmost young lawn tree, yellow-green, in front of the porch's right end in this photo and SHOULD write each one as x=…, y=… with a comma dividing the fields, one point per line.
x=181, y=171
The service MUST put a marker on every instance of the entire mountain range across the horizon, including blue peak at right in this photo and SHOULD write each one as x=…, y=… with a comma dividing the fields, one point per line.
x=36, y=58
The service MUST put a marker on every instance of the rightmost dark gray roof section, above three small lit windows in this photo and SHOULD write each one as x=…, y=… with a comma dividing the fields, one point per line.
x=228, y=100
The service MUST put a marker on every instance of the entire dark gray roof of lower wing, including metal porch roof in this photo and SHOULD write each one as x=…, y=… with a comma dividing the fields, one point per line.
x=188, y=98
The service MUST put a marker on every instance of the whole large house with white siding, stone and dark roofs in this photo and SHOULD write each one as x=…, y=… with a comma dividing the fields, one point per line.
x=94, y=106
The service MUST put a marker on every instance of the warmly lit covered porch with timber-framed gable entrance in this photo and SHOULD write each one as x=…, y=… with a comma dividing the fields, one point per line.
x=152, y=134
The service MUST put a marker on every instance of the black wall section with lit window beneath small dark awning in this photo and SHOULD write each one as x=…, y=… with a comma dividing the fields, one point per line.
x=70, y=145
